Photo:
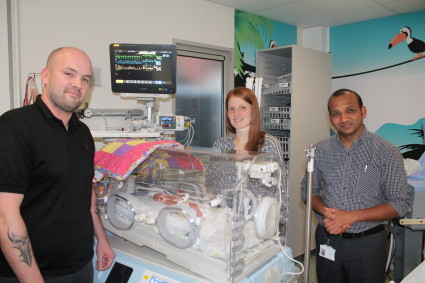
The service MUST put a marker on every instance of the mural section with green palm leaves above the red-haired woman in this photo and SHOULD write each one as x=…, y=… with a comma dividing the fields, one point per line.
x=254, y=33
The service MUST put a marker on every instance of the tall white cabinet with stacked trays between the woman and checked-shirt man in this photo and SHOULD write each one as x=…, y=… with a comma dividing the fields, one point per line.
x=296, y=88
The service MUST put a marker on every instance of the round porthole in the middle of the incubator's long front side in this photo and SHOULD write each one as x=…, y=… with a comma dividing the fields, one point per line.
x=177, y=225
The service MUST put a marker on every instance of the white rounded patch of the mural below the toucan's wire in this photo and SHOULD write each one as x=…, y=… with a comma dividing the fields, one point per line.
x=395, y=95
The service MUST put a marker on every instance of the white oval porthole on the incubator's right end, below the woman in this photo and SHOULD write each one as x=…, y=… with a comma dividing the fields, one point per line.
x=267, y=217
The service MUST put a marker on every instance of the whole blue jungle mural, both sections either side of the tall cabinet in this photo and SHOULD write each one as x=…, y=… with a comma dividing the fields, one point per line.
x=380, y=59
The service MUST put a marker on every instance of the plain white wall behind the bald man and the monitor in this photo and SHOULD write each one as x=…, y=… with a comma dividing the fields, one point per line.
x=93, y=25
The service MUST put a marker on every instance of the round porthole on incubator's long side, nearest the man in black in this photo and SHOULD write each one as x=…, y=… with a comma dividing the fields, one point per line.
x=121, y=210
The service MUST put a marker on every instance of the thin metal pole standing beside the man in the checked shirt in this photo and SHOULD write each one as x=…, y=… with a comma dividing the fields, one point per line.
x=310, y=153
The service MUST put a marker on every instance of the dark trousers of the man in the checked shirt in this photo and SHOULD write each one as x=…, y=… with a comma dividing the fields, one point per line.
x=360, y=260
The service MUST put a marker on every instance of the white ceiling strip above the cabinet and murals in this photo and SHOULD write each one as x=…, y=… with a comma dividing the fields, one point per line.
x=328, y=13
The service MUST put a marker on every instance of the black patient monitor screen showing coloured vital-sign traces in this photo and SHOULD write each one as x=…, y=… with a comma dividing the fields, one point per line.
x=143, y=68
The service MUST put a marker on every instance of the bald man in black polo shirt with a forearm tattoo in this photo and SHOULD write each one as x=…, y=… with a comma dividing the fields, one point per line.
x=47, y=206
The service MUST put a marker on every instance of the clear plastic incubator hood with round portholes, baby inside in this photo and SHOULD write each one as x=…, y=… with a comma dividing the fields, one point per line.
x=216, y=214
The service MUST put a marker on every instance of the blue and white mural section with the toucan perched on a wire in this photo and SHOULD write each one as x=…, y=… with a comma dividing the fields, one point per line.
x=383, y=60
